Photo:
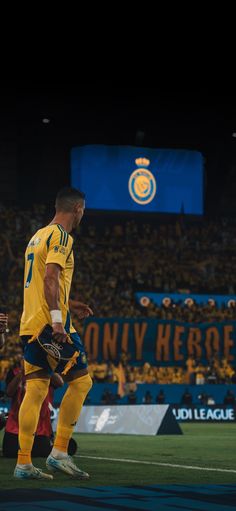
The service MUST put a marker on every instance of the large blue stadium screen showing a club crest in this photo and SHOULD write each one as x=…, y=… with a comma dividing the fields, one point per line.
x=139, y=179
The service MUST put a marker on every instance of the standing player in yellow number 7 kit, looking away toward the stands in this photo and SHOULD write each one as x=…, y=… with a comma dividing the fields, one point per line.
x=49, y=266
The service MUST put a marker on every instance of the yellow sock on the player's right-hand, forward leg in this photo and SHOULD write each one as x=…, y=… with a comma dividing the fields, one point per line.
x=70, y=409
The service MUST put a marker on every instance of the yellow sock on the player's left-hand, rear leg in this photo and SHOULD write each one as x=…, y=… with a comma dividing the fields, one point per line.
x=36, y=391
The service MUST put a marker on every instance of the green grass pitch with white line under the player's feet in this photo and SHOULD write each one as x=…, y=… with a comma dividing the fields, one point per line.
x=211, y=446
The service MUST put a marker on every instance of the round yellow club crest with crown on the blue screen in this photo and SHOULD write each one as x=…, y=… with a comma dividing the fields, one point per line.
x=142, y=183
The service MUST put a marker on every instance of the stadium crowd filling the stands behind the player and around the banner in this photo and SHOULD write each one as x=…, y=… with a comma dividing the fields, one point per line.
x=114, y=258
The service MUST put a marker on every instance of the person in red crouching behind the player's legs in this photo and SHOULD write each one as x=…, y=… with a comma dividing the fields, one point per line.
x=15, y=389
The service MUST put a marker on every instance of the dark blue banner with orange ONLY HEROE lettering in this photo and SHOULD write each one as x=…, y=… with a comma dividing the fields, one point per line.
x=158, y=341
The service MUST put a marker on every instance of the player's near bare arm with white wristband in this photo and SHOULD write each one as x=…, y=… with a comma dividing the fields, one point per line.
x=52, y=296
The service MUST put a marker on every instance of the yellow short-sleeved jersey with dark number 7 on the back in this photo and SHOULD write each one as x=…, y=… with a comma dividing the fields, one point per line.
x=51, y=244
